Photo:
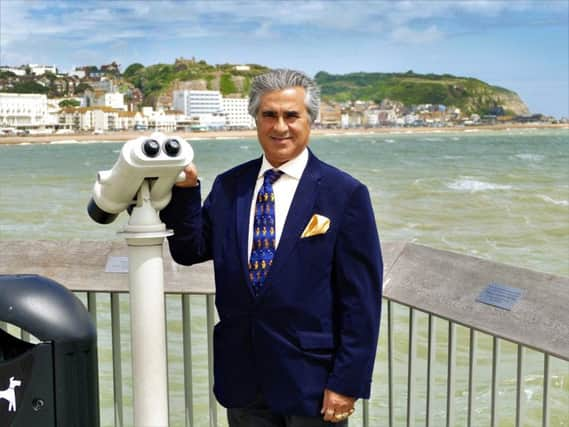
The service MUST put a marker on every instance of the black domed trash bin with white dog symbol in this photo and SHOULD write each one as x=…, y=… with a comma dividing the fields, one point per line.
x=55, y=382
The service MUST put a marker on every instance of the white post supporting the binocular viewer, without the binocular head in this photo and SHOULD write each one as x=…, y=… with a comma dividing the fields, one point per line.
x=145, y=235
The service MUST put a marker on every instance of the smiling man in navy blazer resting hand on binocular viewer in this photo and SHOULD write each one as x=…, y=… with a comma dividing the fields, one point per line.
x=297, y=265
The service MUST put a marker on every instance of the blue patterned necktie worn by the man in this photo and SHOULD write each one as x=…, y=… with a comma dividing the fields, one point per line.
x=263, y=249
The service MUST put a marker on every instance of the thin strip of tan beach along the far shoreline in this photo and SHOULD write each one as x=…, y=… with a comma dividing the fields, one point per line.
x=120, y=136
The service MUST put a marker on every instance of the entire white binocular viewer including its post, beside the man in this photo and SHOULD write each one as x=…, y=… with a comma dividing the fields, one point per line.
x=141, y=182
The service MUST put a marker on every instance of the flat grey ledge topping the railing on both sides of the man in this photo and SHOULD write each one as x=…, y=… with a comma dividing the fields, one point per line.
x=440, y=282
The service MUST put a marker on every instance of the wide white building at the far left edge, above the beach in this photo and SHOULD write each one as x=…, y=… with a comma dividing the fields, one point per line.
x=23, y=110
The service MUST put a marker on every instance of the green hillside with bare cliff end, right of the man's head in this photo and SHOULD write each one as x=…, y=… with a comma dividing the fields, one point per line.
x=468, y=94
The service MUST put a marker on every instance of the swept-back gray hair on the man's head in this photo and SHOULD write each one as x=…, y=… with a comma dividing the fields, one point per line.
x=281, y=79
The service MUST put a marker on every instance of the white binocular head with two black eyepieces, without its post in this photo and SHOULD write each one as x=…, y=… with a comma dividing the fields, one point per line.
x=158, y=158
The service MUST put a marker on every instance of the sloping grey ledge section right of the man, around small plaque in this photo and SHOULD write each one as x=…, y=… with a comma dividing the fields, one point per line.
x=447, y=284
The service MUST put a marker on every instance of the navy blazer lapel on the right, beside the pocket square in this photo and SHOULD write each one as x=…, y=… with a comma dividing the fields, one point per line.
x=299, y=213
